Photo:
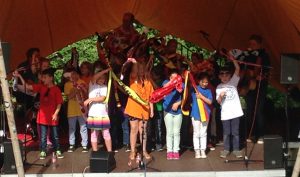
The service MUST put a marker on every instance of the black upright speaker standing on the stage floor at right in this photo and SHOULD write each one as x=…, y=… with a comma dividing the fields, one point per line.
x=273, y=153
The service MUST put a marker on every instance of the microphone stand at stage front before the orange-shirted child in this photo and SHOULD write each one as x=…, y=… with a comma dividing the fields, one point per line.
x=142, y=164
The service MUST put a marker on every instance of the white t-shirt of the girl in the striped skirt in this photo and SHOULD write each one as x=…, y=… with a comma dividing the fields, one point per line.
x=97, y=109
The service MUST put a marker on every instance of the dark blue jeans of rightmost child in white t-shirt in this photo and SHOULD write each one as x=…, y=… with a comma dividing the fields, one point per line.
x=231, y=127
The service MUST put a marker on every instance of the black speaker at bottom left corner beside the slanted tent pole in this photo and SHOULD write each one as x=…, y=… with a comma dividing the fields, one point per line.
x=9, y=166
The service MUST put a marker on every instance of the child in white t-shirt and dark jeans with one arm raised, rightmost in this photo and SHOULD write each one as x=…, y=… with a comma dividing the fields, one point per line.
x=231, y=109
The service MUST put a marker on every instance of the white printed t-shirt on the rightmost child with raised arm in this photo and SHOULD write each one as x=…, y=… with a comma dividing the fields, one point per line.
x=231, y=106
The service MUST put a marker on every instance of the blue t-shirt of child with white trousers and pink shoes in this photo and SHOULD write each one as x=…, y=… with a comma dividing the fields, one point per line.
x=170, y=99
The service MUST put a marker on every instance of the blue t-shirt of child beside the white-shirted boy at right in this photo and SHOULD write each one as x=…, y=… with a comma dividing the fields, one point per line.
x=195, y=110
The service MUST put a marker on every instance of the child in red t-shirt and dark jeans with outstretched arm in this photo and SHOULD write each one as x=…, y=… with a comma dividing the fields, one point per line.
x=50, y=104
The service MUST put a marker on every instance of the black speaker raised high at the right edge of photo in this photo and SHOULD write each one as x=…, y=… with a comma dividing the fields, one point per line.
x=289, y=73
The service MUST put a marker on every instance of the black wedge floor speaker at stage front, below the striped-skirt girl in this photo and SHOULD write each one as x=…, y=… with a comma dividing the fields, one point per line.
x=102, y=162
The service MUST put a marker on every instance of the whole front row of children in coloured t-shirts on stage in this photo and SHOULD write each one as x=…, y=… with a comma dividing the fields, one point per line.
x=87, y=105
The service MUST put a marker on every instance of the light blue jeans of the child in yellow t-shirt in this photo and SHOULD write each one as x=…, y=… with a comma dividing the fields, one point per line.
x=83, y=130
